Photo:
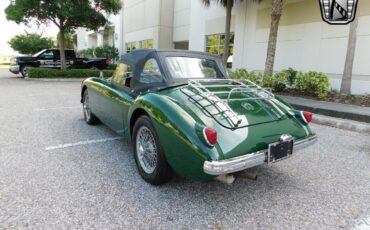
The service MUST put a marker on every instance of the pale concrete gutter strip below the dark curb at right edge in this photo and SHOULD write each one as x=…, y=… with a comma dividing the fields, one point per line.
x=342, y=123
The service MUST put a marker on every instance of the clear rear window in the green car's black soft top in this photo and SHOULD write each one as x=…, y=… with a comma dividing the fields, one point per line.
x=189, y=67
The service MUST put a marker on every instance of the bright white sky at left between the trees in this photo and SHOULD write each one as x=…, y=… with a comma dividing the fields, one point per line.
x=9, y=29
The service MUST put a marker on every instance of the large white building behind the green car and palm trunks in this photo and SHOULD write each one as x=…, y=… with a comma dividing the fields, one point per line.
x=305, y=42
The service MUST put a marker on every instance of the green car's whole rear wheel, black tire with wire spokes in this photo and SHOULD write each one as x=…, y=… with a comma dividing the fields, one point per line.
x=149, y=156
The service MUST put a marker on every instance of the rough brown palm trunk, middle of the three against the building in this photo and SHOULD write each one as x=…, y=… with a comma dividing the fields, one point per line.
x=277, y=9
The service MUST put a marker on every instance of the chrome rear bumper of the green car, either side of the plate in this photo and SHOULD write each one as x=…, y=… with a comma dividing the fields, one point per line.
x=249, y=160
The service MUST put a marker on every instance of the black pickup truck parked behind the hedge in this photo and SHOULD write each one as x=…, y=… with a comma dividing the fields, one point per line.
x=50, y=58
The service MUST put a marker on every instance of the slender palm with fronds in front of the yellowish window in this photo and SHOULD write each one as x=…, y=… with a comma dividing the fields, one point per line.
x=228, y=4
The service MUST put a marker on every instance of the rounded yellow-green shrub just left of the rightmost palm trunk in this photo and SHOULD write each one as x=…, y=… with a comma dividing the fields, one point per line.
x=313, y=83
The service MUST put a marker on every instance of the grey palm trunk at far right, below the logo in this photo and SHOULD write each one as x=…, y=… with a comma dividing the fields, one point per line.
x=350, y=57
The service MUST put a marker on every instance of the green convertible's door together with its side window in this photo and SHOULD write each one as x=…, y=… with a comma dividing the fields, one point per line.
x=117, y=98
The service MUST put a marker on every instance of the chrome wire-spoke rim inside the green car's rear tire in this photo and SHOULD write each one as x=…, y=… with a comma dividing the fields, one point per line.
x=146, y=150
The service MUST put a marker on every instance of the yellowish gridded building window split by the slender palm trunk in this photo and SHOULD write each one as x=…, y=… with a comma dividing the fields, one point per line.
x=215, y=44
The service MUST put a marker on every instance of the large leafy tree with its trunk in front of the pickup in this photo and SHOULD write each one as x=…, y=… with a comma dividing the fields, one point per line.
x=65, y=14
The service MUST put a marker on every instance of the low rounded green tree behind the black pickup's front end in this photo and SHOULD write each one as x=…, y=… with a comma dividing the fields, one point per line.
x=30, y=43
